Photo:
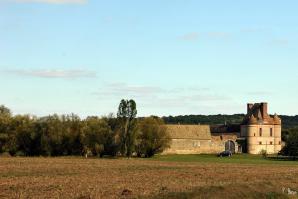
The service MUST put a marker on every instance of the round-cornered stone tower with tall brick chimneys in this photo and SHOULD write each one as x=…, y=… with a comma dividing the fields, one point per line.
x=262, y=132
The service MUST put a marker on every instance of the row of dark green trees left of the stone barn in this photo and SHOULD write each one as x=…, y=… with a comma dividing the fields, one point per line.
x=63, y=135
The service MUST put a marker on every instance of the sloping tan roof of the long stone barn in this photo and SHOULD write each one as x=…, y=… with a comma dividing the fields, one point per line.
x=199, y=132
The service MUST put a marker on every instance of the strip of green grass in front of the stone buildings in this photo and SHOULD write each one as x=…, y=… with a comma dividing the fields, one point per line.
x=235, y=159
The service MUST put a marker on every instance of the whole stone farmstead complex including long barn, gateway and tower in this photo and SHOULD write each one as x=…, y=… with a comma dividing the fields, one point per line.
x=258, y=132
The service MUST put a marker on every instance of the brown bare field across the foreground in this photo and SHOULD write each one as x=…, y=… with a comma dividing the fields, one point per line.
x=140, y=178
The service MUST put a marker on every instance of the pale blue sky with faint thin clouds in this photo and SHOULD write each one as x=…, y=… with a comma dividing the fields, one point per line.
x=173, y=57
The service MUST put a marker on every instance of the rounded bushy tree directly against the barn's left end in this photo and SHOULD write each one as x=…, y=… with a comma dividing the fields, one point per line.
x=152, y=137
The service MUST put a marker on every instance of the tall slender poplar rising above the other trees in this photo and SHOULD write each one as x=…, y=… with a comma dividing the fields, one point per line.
x=126, y=115
